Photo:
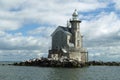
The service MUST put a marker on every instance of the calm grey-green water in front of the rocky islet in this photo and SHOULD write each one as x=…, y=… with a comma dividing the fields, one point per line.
x=39, y=73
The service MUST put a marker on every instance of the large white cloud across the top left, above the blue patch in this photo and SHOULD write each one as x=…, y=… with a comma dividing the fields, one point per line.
x=51, y=12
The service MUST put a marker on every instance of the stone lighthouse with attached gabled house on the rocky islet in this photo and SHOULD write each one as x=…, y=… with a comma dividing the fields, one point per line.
x=67, y=41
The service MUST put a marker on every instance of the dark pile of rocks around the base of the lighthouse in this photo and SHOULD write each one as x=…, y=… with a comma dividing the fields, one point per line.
x=45, y=62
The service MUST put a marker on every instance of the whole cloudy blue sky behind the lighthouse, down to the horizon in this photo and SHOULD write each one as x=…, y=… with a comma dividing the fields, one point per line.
x=26, y=26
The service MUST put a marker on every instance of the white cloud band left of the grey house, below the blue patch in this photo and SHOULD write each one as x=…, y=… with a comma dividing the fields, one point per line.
x=20, y=42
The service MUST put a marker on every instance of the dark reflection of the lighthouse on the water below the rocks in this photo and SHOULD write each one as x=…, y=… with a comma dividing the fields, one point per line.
x=66, y=73
